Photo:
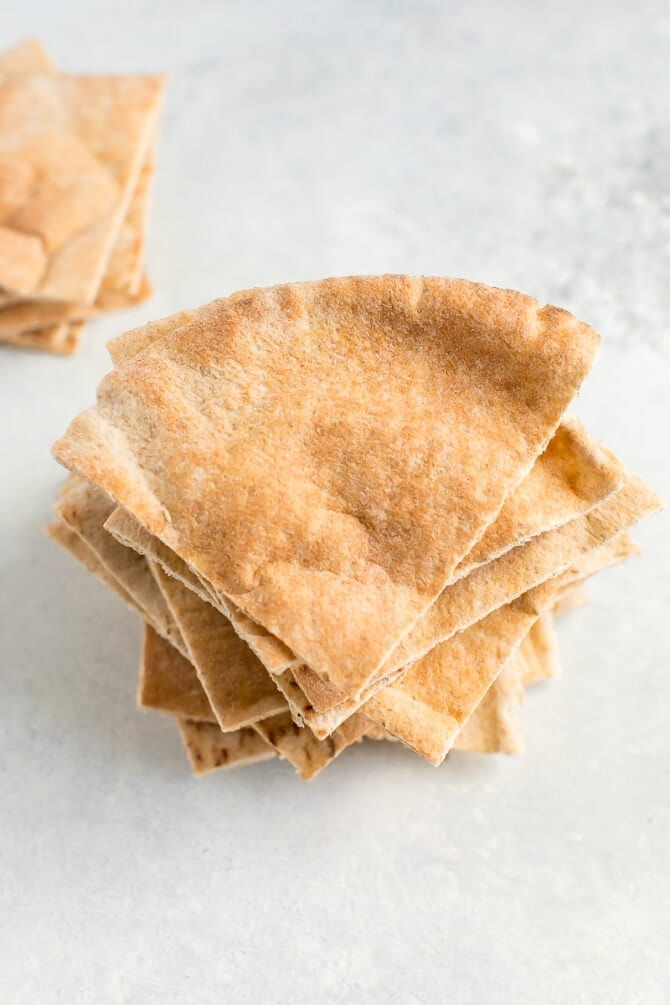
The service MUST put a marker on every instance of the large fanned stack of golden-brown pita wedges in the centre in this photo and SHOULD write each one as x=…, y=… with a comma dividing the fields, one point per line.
x=346, y=509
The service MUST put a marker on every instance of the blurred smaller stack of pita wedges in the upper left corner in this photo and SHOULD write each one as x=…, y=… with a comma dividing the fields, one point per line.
x=77, y=163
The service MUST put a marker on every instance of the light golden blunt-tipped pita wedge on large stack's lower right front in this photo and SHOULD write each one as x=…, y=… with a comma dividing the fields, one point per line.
x=427, y=709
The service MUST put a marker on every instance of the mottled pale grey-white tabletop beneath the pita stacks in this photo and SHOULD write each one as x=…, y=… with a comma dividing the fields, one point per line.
x=524, y=145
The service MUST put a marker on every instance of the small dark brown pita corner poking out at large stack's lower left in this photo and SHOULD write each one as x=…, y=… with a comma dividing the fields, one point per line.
x=169, y=683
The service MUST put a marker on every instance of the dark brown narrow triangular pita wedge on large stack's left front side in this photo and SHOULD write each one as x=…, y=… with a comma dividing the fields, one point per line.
x=239, y=687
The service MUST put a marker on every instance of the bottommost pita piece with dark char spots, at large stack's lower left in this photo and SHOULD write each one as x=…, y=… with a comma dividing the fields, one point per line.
x=209, y=749
